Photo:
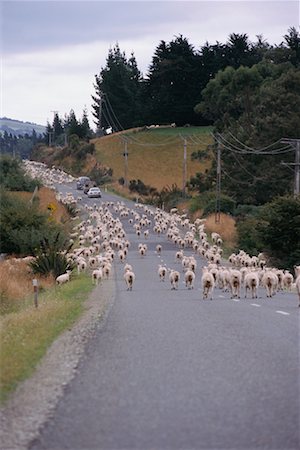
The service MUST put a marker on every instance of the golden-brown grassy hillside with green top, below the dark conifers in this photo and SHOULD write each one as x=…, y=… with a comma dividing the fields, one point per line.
x=155, y=156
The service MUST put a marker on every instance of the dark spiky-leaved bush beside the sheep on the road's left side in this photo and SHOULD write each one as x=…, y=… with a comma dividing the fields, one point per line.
x=51, y=258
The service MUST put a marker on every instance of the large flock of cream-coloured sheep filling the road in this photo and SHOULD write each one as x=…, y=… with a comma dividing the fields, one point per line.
x=101, y=239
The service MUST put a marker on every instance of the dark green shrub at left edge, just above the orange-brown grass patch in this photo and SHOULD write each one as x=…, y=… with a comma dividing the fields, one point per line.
x=13, y=177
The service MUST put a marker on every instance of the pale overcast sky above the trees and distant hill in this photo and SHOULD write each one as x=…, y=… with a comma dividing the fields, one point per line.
x=51, y=50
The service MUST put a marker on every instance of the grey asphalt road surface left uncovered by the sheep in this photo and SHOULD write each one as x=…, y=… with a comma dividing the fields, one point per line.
x=168, y=370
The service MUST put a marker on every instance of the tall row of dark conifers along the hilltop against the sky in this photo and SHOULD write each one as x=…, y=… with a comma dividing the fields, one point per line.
x=176, y=78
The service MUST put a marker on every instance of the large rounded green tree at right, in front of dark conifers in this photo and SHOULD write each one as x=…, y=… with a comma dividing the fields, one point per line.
x=254, y=107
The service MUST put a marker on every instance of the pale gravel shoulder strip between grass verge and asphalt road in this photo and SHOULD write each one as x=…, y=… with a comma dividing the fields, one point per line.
x=34, y=401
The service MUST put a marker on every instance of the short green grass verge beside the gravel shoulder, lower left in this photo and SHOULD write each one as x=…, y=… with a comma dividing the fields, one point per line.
x=26, y=335
